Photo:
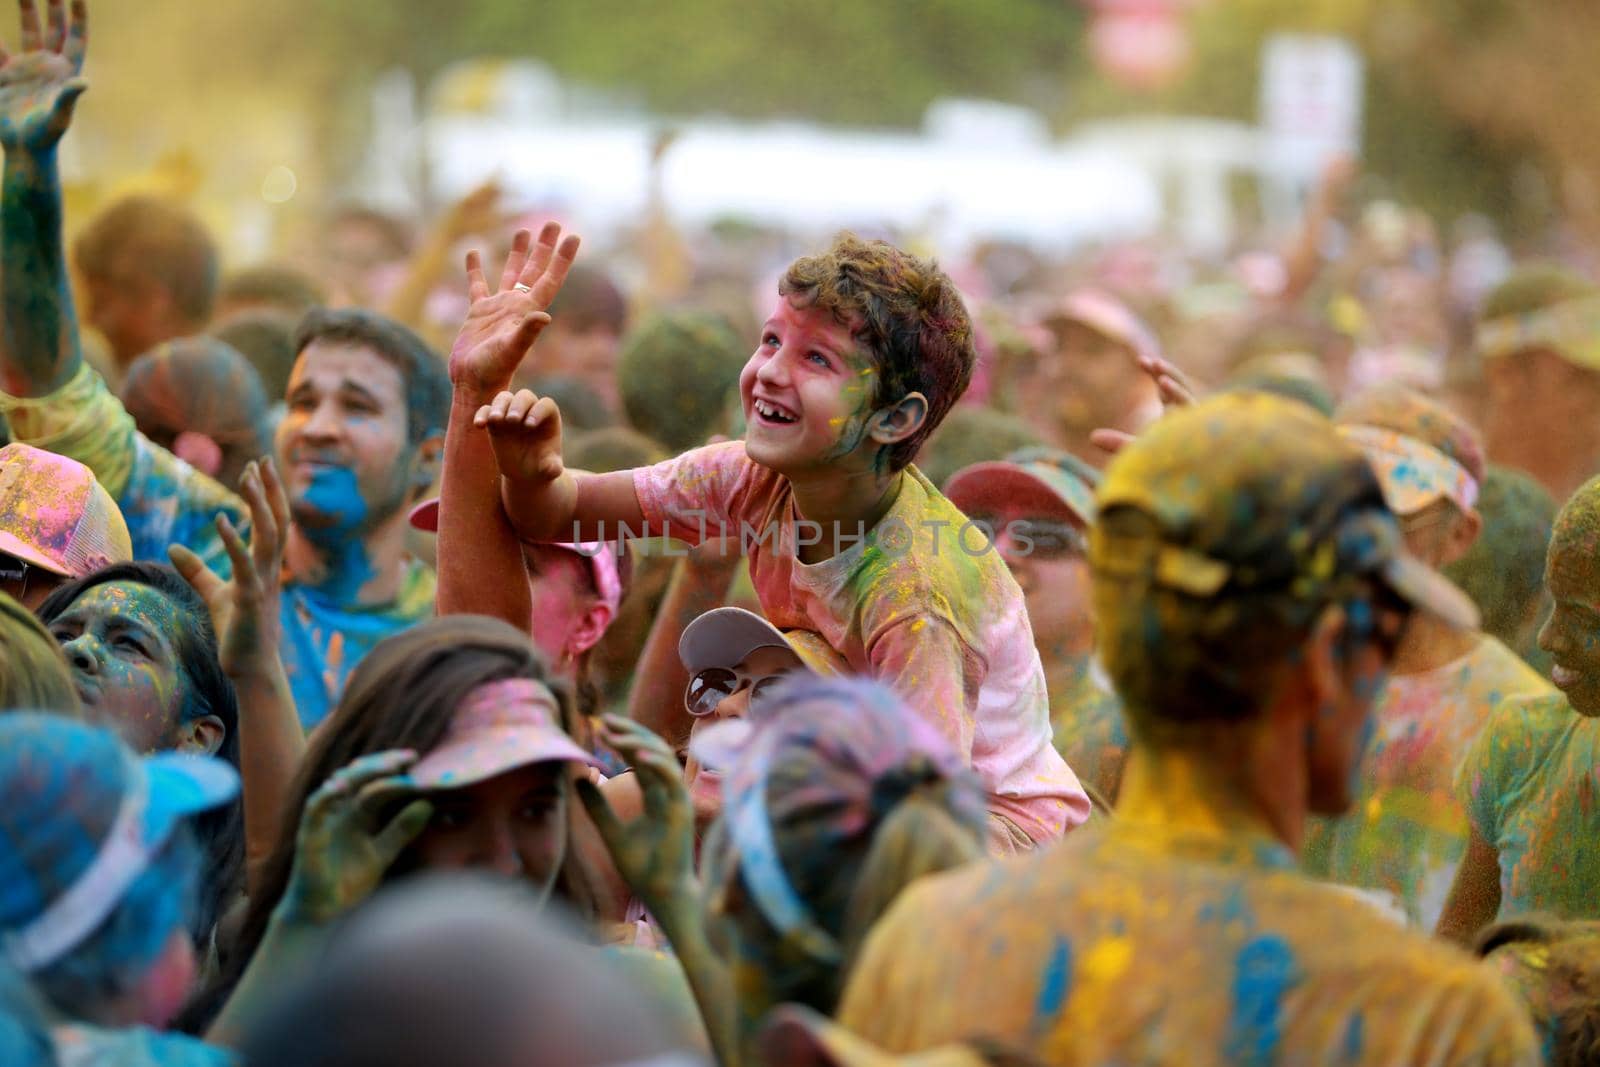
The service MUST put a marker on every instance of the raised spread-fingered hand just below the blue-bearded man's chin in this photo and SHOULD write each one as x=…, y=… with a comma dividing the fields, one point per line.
x=246, y=609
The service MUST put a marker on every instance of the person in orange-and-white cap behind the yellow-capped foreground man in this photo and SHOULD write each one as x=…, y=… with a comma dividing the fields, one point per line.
x=1407, y=833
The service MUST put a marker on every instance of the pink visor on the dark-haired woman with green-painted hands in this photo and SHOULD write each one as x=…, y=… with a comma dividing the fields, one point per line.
x=500, y=727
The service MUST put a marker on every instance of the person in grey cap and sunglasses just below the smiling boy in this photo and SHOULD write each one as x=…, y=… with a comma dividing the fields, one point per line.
x=735, y=658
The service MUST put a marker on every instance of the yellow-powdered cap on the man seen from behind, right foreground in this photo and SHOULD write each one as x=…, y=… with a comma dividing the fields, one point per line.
x=1255, y=494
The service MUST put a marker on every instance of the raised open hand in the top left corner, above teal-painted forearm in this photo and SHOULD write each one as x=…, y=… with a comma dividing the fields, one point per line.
x=41, y=84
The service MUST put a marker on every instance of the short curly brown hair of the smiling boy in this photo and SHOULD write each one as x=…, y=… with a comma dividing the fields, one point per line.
x=906, y=313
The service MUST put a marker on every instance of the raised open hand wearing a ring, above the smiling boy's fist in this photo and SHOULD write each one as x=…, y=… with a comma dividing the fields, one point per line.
x=505, y=322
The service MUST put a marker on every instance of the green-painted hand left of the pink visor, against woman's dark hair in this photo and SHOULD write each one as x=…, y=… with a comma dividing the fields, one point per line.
x=345, y=845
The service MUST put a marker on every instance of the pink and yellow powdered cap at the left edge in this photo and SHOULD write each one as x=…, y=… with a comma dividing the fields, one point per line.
x=57, y=516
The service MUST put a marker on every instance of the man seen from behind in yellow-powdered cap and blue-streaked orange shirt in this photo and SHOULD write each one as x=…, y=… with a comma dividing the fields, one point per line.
x=1250, y=588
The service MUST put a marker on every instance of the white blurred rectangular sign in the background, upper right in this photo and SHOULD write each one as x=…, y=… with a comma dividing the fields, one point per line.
x=1311, y=102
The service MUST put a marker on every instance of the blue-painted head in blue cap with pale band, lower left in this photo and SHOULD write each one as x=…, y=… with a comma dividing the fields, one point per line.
x=98, y=874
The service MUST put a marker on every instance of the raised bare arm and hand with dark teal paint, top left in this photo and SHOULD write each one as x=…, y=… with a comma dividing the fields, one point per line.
x=39, y=90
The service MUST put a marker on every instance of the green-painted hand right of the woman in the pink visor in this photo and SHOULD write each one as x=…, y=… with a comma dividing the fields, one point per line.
x=655, y=853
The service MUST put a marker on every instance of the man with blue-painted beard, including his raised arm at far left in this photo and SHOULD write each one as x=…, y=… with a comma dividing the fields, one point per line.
x=359, y=446
